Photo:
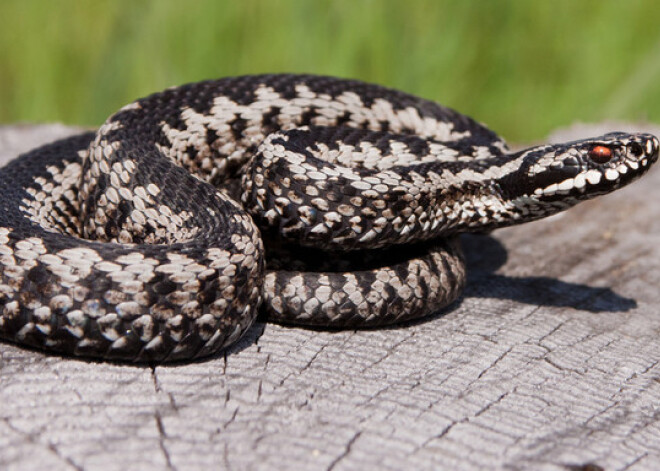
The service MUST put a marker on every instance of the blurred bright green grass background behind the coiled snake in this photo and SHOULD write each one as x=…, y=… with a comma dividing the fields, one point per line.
x=523, y=67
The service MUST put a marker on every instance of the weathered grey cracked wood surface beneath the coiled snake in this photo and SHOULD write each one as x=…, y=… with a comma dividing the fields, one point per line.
x=549, y=362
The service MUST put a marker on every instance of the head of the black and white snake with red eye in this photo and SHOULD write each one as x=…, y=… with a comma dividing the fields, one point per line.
x=574, y=171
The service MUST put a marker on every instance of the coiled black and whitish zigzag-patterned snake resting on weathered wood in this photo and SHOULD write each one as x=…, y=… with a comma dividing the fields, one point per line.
x=313, y=200
